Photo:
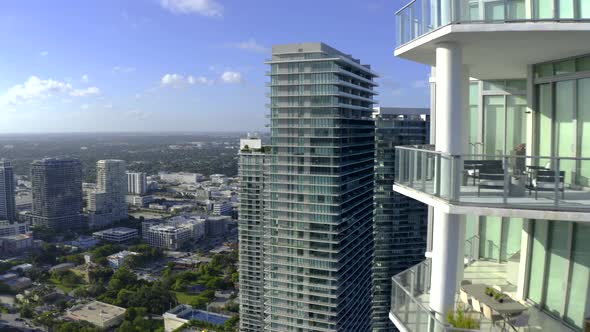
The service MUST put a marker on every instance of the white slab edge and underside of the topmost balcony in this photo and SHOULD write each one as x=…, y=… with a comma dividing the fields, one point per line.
x=496, y=51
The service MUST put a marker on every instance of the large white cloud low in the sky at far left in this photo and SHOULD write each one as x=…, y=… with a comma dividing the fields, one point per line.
x=36, y=88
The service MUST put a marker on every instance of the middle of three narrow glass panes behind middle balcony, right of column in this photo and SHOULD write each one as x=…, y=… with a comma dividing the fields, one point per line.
x=494, y=127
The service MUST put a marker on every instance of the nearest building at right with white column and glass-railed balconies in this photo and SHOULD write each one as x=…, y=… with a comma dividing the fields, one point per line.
x=506, y=180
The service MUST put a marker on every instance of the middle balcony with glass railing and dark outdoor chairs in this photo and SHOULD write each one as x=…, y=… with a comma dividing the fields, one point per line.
x=502, y=185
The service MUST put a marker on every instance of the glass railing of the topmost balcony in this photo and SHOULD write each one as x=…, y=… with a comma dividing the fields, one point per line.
x=419, y=17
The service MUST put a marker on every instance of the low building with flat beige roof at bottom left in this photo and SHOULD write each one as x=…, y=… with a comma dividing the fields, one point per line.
x=98, y=313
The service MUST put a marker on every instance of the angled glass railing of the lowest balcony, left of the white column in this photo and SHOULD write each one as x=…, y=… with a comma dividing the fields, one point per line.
x=409, y=301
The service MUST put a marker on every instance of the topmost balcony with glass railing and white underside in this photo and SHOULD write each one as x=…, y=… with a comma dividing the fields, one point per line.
x=499, y=38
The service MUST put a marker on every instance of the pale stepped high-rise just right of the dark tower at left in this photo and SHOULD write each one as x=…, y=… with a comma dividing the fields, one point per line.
x=108, y=204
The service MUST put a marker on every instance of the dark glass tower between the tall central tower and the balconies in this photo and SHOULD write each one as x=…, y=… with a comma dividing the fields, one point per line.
x=399, y=222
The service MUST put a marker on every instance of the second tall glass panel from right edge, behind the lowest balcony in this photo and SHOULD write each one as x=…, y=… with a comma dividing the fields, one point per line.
x=558, y=263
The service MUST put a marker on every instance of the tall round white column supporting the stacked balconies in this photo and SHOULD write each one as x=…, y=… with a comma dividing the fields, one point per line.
x=452, y=84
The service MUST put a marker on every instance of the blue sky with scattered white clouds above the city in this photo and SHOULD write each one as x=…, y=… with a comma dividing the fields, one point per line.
x=177, y=65
